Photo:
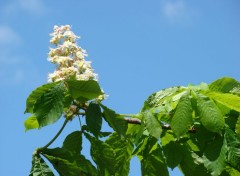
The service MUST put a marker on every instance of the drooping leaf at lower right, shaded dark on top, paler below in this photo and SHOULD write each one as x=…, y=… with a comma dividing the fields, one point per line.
x=214, y=156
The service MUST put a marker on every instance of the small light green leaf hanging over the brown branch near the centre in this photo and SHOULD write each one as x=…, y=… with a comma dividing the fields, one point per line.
x=152, y=124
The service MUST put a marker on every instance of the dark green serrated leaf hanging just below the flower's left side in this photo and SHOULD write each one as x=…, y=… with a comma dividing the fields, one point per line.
x=49, y=107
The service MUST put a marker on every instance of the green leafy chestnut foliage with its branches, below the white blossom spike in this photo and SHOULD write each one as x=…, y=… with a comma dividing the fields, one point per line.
x=194, y=128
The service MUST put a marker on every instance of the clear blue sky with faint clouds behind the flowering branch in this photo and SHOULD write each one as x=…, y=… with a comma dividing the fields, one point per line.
x=137, y=47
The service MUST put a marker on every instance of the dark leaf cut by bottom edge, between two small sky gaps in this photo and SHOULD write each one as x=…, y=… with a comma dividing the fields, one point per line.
x=154, y=164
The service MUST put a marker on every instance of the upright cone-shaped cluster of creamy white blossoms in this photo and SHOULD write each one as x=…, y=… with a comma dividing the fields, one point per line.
x=69, y=57
